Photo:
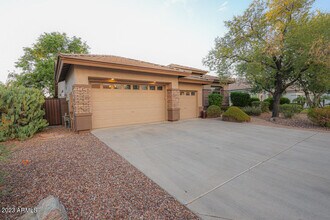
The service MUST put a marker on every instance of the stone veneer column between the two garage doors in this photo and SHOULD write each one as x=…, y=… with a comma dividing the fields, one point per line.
x=173, y=105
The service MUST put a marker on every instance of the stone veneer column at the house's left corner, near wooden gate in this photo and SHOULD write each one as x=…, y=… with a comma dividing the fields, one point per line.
x=82, y=110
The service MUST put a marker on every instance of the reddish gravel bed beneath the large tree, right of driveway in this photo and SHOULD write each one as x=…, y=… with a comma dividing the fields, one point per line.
x=299, y=121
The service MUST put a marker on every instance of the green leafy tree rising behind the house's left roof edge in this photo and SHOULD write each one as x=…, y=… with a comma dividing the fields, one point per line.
x=36, y=66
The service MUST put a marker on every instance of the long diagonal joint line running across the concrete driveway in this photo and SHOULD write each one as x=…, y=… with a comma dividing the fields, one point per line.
x=247, y=170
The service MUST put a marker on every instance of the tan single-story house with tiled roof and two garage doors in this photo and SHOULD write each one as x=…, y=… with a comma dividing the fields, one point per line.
x=104, y=90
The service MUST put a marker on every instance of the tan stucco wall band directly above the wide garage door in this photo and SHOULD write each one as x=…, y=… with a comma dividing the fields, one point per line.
x=82, y=73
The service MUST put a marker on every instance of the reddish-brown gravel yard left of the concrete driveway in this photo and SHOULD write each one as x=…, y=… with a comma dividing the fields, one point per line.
x=91, y=180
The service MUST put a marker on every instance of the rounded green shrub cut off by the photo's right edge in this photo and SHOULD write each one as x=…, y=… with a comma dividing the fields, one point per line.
x=320, y=116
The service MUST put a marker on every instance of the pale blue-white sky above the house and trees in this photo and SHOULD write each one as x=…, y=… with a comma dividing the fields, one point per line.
x=160, y=31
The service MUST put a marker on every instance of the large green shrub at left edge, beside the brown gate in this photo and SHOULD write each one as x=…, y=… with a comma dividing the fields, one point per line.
x=21, y=112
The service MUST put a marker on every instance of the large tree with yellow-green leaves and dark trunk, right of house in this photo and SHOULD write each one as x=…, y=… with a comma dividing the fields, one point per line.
x=274, y=44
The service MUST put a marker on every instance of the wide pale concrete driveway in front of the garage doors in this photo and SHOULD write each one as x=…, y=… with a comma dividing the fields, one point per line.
x=232, y=171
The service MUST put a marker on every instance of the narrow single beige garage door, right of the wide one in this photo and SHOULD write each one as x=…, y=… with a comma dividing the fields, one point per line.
x=188, y=104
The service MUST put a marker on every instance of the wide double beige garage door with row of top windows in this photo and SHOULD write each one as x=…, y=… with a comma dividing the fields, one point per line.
x=118, y=104
